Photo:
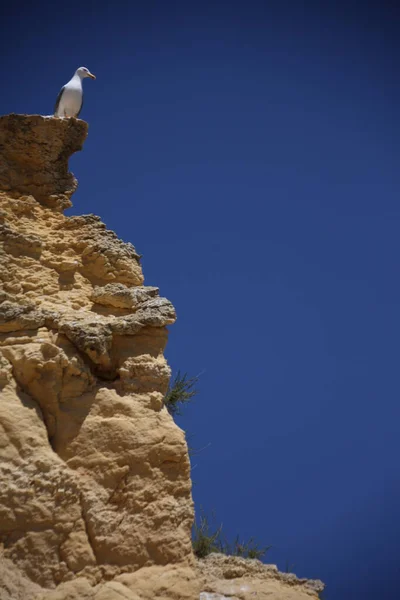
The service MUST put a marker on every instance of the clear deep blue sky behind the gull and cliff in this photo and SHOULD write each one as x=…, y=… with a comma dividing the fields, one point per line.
x=250, y=152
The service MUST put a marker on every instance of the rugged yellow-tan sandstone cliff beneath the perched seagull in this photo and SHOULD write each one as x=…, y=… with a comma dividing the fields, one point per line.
x=95, y=494
